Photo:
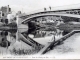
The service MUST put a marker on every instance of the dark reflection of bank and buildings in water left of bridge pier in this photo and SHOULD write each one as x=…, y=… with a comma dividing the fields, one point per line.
x=7, y=34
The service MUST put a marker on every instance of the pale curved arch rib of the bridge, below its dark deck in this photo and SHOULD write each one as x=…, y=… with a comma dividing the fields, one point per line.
x=49, y=14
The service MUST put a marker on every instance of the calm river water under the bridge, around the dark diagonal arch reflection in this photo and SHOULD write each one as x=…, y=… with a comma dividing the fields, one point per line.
x=43, y=35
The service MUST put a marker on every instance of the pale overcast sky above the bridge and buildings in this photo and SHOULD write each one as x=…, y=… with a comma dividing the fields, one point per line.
x=32, y=5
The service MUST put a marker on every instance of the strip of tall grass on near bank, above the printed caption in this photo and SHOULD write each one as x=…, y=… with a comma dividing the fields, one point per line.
x=23, y=51
